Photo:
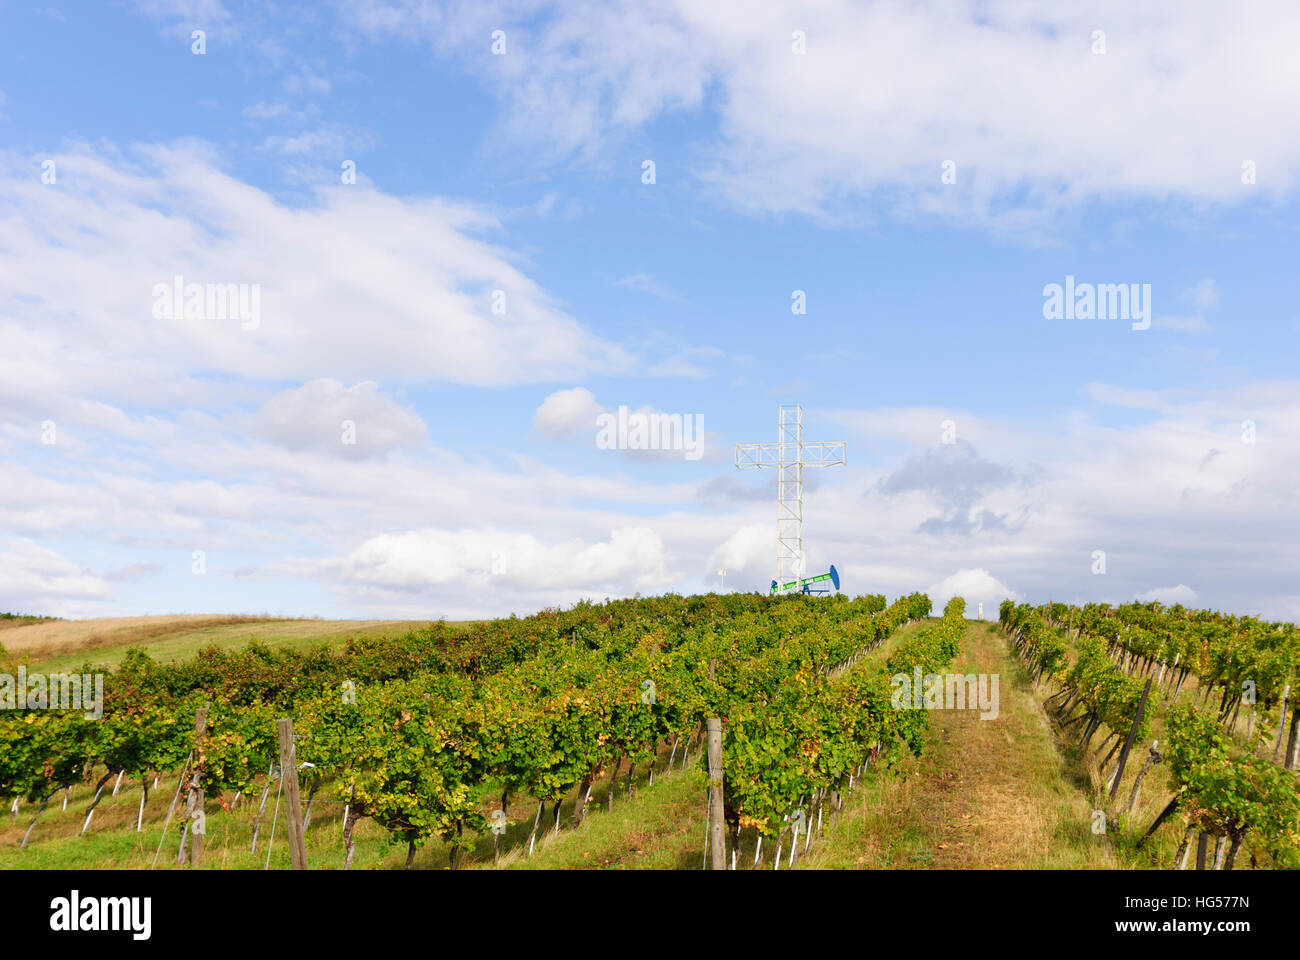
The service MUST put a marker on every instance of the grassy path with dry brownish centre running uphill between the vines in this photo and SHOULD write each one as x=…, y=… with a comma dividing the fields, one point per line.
x=987, y=793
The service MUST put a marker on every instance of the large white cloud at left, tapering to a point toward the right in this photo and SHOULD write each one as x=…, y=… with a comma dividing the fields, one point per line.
x=359, y=286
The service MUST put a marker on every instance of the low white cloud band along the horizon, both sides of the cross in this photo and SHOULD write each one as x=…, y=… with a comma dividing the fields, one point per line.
x=1150, y=495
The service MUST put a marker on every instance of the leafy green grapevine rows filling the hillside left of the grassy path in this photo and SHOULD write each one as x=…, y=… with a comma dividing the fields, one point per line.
x=417, y=733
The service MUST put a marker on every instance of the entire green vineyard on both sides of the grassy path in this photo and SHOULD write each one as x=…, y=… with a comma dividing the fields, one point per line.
x=471, y=738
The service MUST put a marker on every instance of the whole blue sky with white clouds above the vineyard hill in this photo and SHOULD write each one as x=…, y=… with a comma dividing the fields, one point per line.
x=476, y=486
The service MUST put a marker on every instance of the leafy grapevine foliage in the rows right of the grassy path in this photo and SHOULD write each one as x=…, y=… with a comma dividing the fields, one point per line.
x=1228, y=795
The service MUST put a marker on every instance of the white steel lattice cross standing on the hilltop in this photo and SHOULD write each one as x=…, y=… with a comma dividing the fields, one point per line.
x=790, y=456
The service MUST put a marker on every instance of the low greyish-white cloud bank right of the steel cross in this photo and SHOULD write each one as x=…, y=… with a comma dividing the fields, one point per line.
x=1147, y=494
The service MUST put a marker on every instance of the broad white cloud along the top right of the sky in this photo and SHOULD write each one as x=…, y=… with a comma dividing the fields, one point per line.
x=1015, y=89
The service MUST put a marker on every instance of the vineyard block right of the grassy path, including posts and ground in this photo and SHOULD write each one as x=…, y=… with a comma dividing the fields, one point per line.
x=1126, y=671
